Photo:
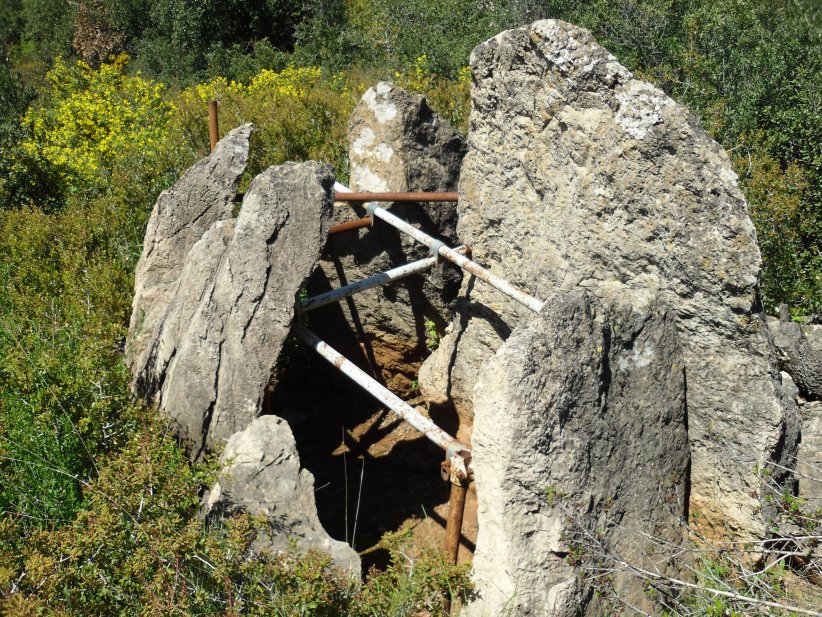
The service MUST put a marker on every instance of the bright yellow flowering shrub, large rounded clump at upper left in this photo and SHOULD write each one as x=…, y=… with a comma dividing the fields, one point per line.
x=95, y=119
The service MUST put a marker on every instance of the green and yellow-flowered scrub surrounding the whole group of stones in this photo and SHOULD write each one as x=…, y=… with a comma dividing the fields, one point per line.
x=102, y=106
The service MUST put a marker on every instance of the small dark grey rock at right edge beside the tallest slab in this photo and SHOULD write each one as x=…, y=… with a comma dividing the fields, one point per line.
x=798, y=355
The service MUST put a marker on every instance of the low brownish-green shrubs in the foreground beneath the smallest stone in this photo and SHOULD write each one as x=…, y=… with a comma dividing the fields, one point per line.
x=137, y=547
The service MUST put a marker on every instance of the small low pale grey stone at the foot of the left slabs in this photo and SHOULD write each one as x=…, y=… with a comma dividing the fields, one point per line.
x=261, y=475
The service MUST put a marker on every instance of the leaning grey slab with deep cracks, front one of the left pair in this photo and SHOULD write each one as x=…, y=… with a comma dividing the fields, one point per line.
x=221, y=331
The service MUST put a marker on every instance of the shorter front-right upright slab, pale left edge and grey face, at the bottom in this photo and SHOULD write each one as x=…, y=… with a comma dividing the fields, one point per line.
x=580, y=429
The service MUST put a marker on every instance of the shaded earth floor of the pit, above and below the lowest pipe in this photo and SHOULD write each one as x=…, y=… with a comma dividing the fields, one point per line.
x=373, y=472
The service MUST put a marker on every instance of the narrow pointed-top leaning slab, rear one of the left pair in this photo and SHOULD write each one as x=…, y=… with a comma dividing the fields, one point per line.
x=201, y=197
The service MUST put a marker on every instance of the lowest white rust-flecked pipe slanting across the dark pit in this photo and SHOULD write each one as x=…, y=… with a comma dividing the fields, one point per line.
x=425, y=425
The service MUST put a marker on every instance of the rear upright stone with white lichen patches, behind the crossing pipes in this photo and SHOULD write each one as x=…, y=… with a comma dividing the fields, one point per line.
x=396, y=143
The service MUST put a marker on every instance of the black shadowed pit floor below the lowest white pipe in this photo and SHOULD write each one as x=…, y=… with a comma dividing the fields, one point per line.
x=359, y=496
